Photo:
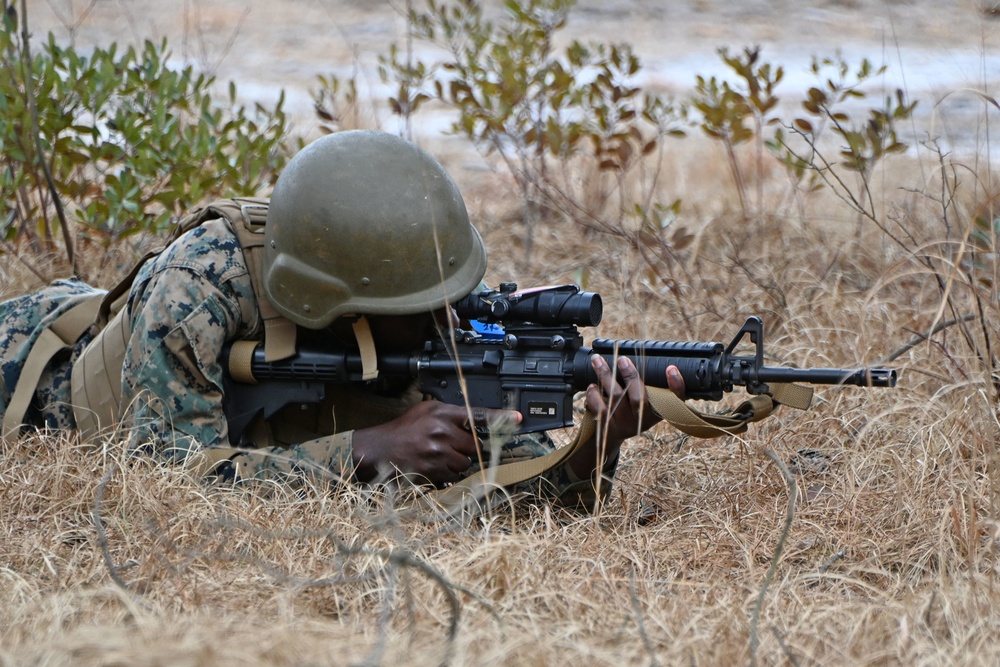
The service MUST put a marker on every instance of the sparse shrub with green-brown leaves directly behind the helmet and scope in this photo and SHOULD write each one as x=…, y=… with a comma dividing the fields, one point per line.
x=541, y=108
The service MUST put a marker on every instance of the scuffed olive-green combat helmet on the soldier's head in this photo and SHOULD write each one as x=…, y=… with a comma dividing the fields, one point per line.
x=366, y=223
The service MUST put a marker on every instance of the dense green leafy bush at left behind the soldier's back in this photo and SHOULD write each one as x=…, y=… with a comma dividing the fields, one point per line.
x=128, y=142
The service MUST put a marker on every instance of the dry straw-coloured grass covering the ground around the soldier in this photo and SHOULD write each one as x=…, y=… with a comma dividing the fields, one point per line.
x=890, y=554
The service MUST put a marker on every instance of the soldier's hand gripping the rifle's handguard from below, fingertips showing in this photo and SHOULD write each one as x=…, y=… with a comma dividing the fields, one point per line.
x=619, y=403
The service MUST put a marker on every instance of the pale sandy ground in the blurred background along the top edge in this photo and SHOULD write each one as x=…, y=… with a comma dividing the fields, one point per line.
x=934, y=49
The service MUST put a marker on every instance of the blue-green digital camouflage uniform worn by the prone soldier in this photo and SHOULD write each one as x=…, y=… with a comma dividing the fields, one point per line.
x=184, y=306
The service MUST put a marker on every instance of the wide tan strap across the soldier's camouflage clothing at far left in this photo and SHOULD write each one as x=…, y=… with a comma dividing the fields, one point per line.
x=60, y=335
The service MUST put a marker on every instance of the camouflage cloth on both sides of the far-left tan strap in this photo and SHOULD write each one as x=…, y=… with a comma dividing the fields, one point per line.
x=22, y=320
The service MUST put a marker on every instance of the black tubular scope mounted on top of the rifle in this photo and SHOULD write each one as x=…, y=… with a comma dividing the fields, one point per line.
x=564, y=305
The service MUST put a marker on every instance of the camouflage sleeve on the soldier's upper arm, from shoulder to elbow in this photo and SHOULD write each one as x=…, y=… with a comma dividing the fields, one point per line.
x=183, y=306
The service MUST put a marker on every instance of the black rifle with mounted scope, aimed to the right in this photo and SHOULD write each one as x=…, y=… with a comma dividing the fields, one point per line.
x=524, y=353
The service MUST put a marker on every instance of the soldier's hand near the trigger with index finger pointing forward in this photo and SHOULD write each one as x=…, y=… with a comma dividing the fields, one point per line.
x=432, y=441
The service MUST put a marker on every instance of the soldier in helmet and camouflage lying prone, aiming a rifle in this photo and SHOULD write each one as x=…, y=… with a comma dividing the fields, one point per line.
x=366, y=240
